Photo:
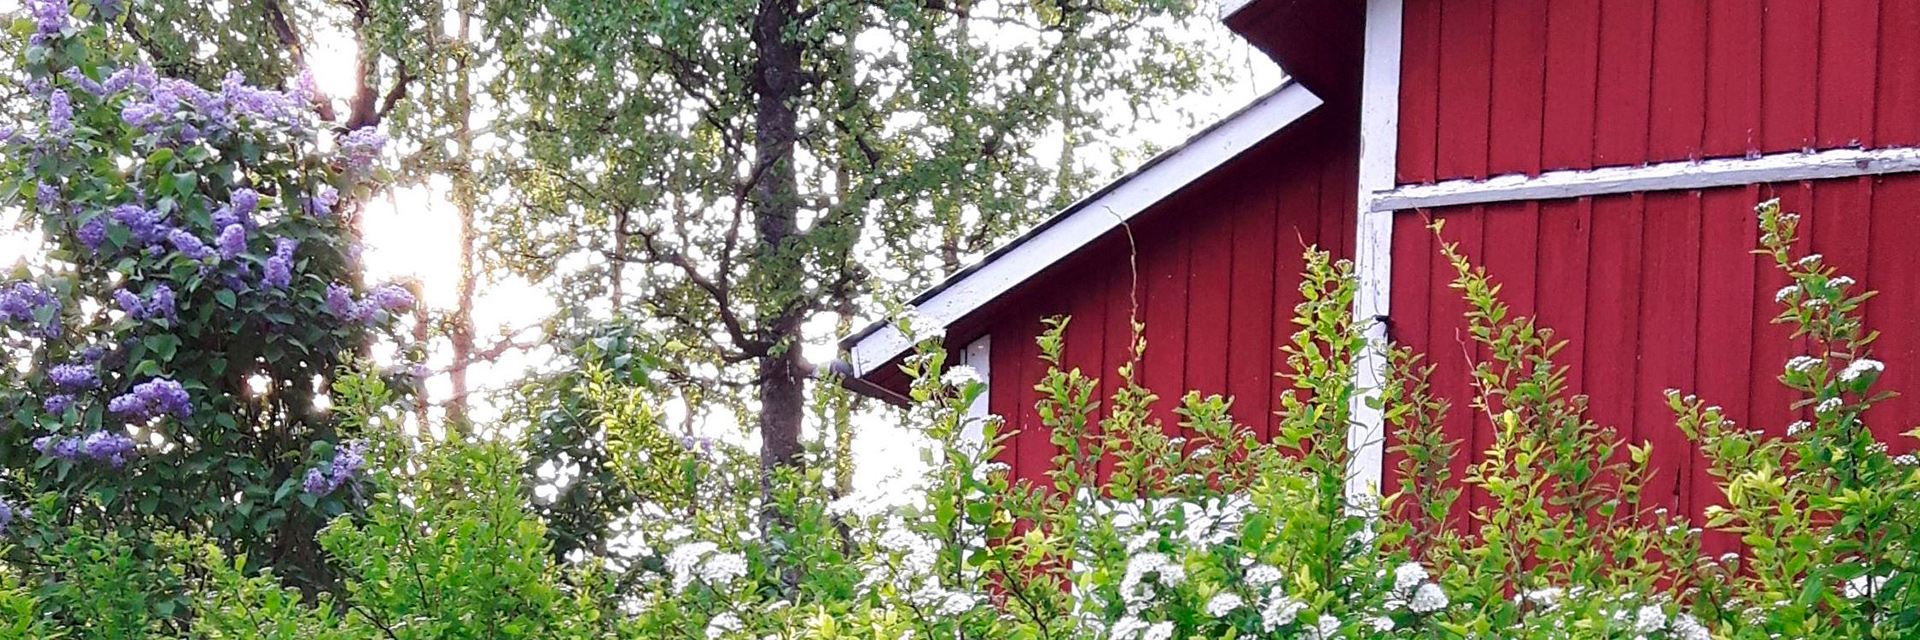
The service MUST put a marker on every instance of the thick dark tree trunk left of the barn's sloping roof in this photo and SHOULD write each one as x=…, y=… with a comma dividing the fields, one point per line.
x=777, y=207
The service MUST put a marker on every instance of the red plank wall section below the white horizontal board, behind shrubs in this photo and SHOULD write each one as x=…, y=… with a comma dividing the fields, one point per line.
x=1660, y=291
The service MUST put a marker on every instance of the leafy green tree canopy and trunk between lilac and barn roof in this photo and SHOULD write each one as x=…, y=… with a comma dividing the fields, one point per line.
x=727, y=172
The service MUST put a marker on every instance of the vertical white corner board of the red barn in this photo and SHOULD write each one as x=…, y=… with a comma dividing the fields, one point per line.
x=1374, y=247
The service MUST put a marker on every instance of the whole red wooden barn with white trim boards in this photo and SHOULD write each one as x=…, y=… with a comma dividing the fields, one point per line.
x=1600, y=157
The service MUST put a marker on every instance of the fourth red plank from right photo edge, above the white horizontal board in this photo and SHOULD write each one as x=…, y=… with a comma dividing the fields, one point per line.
x=1735, y=84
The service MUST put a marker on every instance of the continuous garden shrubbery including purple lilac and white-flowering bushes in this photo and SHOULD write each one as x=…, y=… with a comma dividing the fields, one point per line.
x=199, y=241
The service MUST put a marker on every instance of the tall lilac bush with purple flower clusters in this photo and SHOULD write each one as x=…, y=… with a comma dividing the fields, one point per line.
x=199, y=239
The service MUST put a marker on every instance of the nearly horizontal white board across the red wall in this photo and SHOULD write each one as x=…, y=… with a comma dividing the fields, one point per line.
x=1668, y=176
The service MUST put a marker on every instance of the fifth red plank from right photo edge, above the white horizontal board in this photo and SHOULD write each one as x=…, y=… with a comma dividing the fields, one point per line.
x=1679, y=82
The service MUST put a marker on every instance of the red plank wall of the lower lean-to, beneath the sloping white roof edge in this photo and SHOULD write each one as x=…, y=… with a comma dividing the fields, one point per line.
x=1218, y=280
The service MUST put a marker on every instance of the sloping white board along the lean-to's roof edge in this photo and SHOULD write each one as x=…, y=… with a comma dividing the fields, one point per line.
x=1090, y=220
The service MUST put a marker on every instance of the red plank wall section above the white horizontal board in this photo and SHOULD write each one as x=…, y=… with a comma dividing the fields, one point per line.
x=1495, y=87
